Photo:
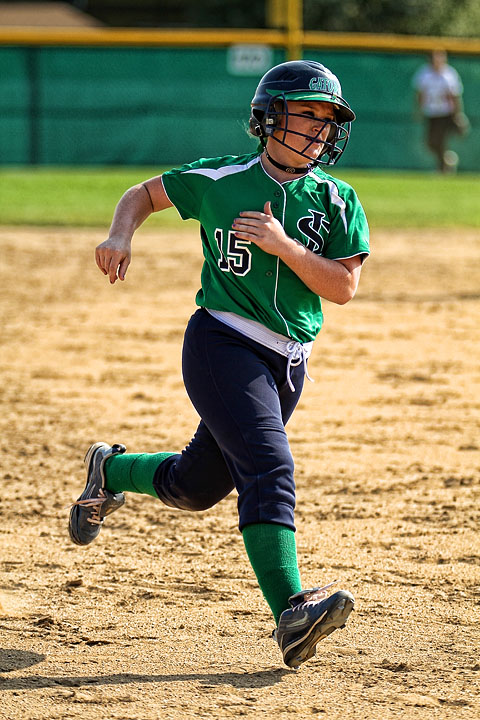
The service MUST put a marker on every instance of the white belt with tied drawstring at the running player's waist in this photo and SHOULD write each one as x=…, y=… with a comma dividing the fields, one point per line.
x=294, y=351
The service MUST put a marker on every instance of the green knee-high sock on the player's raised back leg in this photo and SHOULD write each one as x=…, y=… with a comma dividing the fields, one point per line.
x=133, y=472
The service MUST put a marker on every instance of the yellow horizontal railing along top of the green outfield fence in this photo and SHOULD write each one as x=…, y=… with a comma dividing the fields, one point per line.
x=222, y=37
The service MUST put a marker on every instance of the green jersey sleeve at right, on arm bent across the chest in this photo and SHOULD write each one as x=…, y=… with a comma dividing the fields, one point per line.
x=349, y=232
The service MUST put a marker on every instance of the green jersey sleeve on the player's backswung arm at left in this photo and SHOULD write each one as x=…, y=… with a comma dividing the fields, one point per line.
x=185, y=188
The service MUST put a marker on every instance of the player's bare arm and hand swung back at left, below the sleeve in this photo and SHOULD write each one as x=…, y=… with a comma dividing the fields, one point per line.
x=113, y=256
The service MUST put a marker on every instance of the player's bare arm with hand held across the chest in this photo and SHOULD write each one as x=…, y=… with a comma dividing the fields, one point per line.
x=334, y=280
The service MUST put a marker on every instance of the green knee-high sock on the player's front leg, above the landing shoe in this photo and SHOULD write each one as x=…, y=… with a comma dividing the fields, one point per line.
x=272, y=552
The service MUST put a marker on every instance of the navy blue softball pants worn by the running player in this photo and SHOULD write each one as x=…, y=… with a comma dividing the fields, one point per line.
x=239, y=388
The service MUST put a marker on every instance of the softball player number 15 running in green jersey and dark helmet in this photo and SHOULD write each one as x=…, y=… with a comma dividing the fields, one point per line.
x=278, y=234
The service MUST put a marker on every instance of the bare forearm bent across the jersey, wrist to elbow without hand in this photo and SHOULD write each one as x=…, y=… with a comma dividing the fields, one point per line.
x=329, y=279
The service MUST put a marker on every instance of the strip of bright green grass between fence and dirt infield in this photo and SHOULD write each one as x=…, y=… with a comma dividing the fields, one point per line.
x=86, y=197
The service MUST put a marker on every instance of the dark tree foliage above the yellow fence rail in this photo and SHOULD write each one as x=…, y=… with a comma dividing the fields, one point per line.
x=411, y=17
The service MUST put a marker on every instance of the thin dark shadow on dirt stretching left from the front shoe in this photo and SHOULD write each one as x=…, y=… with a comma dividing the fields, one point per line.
x=263, y=678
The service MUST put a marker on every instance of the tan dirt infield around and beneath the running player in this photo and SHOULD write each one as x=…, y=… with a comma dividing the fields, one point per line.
x=161, y=617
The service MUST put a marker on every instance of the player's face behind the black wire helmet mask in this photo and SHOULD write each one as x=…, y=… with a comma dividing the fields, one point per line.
x=307, y=127
